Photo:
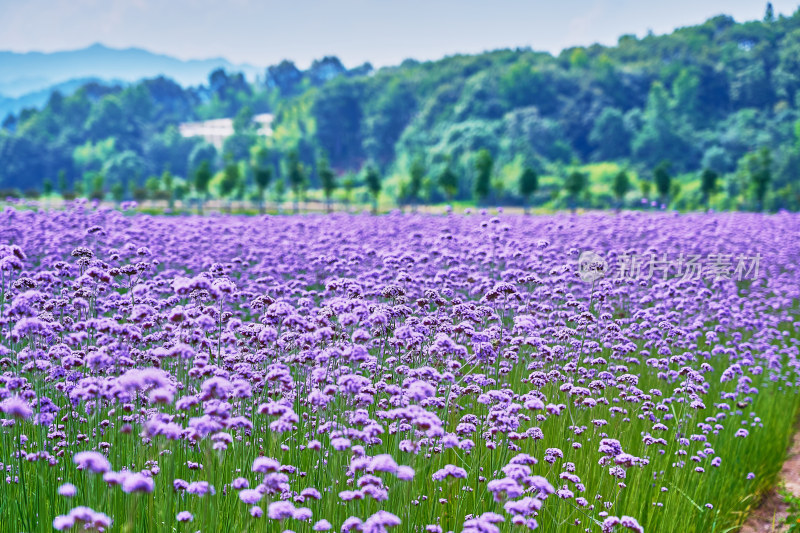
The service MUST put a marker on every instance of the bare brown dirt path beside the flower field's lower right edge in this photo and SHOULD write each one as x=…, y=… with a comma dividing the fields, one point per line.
x=769, y=516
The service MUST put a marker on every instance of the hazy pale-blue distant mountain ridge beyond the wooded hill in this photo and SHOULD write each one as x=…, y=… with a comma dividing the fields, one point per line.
x=25, y=73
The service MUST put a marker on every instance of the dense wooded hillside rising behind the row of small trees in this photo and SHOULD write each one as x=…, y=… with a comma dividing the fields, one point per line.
x=704, y=97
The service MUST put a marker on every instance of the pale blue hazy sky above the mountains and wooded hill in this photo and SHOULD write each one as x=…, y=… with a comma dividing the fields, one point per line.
x=384, y=32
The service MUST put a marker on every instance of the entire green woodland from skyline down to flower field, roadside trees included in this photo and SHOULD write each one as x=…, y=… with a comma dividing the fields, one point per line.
x=708, y=115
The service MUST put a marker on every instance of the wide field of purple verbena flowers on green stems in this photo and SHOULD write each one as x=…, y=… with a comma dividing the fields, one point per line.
x=395, y=373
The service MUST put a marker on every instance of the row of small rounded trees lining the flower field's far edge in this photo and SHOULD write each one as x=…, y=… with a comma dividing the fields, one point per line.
x=256, y=181
